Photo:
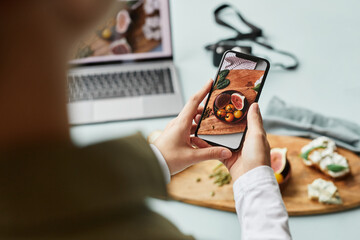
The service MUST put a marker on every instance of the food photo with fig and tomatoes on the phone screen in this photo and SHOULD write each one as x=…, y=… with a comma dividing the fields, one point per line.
x=235, y=89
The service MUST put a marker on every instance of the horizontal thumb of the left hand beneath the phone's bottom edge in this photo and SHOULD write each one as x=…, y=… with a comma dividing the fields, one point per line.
x=210, y=153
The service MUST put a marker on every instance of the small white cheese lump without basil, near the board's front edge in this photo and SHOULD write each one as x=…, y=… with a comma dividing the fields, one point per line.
x=324, y=191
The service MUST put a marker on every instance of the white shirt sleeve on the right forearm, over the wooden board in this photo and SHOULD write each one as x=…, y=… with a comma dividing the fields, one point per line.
x=259, y=206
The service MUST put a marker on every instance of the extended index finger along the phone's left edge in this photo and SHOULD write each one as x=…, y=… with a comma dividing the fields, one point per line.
x=191, y=106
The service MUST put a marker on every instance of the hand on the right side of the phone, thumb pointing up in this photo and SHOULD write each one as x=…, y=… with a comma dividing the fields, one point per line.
x=256, y=149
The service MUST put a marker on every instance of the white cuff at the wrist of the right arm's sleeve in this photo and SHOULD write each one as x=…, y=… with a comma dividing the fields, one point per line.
x=253, y=178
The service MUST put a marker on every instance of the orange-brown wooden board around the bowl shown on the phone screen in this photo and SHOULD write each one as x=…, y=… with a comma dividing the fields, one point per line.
x=214, y=126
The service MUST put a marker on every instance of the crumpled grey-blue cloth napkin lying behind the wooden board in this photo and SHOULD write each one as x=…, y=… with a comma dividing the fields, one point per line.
x=284, y=119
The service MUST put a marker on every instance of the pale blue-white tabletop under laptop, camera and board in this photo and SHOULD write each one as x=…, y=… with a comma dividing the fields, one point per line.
x=323, y=34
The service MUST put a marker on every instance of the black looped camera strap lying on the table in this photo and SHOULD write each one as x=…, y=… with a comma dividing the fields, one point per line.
x=254, y=36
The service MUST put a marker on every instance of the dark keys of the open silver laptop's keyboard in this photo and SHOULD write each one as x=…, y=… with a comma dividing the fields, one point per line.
x=119, y=84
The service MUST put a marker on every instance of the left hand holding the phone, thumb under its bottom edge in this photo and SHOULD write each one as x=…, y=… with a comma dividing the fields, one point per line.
x=176, y=144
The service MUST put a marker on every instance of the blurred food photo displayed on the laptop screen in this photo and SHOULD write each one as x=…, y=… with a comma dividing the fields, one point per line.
x=132, y=27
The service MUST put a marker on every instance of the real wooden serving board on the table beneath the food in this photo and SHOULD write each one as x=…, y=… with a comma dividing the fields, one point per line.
x=184, y=185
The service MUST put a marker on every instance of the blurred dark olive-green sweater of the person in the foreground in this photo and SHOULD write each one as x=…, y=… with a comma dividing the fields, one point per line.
x=95, y=192
